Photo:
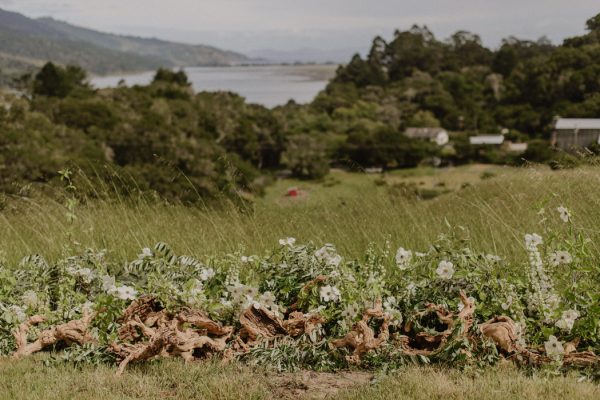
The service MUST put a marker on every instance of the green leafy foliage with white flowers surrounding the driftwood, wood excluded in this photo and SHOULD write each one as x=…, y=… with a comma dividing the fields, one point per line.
x=538, y=295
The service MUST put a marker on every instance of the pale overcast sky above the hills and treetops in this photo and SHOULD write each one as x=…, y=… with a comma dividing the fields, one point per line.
x=247, y=25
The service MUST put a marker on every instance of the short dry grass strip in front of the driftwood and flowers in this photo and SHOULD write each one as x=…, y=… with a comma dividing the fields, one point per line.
x=172, y=379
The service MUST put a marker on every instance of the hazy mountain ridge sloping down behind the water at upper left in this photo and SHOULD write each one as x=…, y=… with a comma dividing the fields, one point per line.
x=26, y=44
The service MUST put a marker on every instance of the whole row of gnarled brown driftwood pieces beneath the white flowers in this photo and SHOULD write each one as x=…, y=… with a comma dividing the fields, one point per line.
x=147, y=331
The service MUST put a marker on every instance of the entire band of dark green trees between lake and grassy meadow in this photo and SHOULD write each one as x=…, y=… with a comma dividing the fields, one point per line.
x=189, y=146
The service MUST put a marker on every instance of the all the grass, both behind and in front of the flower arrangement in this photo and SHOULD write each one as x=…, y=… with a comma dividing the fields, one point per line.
x=497, y=206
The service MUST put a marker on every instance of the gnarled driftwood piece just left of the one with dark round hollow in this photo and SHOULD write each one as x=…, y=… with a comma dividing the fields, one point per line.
x=362, y=339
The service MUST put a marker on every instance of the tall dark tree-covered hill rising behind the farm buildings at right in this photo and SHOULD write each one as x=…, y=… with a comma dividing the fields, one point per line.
x=416, y=79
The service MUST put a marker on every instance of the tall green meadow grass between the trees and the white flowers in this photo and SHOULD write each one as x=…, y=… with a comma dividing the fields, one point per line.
x=348, y=210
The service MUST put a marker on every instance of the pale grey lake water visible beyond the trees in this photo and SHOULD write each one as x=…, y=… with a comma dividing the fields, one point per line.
x=267, y=85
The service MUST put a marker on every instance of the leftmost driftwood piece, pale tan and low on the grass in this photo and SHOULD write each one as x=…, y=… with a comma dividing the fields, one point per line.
x=76, y=331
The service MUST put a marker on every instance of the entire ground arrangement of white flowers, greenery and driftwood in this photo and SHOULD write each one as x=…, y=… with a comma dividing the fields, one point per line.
x=304, y=306
